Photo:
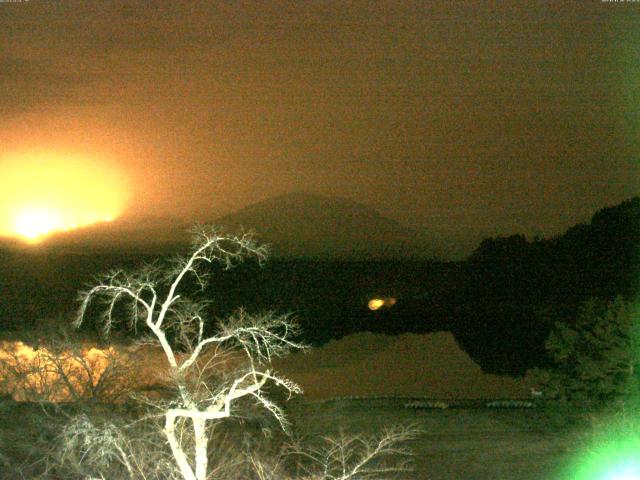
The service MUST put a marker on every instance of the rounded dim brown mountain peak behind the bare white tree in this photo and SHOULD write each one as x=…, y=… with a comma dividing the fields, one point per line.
x=308, y=225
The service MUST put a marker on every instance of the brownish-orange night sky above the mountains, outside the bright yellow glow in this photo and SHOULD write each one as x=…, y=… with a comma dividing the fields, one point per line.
x=460, y=118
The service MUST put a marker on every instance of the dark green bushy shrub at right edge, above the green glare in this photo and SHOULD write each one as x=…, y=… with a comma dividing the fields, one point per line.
x=596, y=358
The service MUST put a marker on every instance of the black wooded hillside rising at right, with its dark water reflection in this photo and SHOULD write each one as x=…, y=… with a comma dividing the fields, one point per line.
x=514, y=290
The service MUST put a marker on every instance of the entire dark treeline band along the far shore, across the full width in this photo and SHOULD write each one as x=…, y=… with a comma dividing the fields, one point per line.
x=500, y=303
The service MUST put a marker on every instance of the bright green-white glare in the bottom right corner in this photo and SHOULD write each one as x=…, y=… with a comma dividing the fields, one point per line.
x=616, y=459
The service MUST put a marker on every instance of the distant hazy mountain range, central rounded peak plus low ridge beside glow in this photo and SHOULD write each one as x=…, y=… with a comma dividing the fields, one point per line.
x=296, y=225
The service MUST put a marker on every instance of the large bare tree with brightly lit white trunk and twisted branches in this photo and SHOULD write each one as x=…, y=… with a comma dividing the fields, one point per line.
x=153, y=299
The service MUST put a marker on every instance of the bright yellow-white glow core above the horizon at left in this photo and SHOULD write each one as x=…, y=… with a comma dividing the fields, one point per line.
x=42, y=193
